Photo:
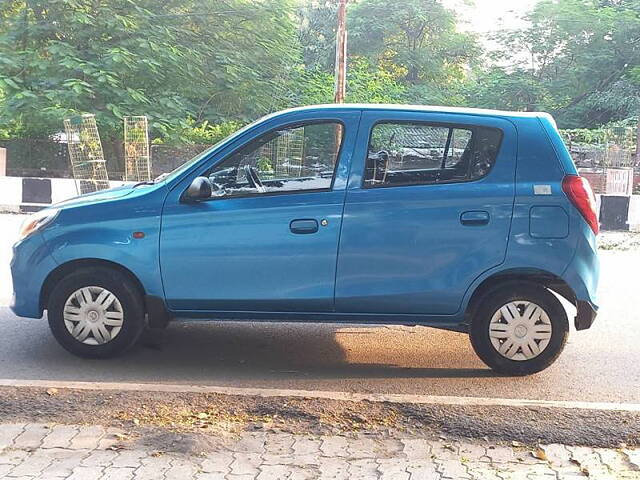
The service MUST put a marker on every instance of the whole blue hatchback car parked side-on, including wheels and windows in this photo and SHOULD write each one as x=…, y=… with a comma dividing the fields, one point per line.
x=468, y=220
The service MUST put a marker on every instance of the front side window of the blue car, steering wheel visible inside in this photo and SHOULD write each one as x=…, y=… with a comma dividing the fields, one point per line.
x=296, y=158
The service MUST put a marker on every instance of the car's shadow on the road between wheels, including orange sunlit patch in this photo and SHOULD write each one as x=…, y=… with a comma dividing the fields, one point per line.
x=321, y=351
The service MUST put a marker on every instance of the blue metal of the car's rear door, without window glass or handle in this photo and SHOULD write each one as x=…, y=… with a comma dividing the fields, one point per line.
x=404, y=249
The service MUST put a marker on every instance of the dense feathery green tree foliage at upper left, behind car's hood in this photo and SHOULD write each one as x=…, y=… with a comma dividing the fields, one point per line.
x=171, y=60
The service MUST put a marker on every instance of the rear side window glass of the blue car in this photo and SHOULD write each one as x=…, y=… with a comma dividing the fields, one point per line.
x=422, y=154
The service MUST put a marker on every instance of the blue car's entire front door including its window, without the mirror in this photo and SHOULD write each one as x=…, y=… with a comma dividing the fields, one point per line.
x=267, y=239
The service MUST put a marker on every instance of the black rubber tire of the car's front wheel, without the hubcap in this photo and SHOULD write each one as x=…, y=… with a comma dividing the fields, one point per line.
x=126, y=292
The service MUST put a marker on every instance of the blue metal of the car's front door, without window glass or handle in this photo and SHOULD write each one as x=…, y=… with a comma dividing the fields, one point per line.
x=239, y=253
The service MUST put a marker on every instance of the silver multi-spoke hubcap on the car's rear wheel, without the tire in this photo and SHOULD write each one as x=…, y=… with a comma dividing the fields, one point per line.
x=520, y=330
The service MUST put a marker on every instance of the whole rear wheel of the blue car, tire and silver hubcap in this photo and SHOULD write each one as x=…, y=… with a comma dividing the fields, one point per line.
x=519, y=328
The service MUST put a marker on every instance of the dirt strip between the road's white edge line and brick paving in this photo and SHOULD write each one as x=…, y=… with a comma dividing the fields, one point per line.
x=185, y=420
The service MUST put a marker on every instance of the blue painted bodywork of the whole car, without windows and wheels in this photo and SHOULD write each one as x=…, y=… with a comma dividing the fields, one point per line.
x=391, y=255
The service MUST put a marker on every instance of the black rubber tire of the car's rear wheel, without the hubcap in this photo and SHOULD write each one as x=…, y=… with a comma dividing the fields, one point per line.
x=502, y=295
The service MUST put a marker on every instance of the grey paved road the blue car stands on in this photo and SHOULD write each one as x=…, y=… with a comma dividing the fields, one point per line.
x=600, y=364
